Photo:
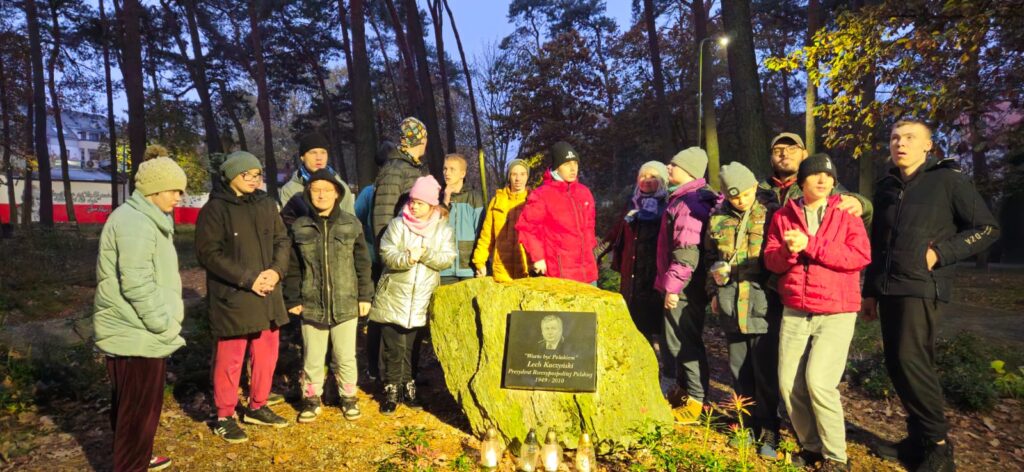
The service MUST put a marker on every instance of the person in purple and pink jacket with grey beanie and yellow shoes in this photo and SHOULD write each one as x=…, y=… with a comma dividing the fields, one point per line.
x=681, y=277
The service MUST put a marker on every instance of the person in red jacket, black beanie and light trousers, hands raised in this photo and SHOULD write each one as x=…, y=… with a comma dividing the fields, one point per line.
x=820, y=251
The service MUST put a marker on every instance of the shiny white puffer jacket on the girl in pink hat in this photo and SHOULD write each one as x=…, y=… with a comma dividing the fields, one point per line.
x=405, y=289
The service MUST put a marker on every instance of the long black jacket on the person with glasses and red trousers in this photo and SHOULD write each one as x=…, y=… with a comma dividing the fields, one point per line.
x=237, y=238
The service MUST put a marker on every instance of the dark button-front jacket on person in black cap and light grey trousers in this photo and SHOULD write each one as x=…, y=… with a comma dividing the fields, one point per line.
x=330, y=272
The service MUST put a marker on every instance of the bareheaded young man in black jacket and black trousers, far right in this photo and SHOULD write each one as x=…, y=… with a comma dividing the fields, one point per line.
x=928, y=217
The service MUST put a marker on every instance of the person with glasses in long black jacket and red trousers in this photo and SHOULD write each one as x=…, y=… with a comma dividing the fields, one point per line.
x=242, y=243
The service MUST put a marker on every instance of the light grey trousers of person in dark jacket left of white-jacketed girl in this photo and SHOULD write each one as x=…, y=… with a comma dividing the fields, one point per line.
x=315, y=344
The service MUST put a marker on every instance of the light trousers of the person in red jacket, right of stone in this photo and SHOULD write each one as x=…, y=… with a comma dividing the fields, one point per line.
x=813, y=353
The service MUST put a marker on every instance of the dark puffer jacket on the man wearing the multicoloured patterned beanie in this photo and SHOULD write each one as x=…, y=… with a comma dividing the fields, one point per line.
x=392, y=189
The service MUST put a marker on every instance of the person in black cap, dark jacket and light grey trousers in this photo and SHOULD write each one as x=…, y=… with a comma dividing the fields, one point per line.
x=329, y=285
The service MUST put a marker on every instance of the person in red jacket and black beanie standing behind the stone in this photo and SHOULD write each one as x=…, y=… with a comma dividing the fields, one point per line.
x=557, y=227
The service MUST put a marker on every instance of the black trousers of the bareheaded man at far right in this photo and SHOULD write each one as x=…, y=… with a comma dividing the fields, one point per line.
x=909, y=329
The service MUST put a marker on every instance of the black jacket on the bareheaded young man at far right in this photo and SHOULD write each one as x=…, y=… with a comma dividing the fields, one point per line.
x=938, y=208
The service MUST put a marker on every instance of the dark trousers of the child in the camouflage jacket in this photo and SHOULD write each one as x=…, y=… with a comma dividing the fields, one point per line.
x=754, y=363
